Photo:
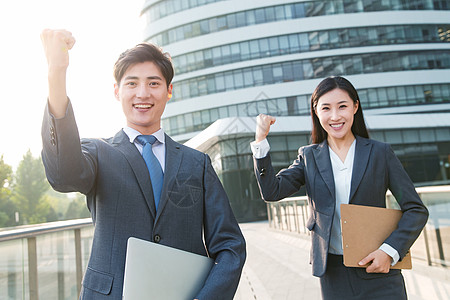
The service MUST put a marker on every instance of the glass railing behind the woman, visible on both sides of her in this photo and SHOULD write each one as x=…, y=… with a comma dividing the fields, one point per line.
x=432, y=246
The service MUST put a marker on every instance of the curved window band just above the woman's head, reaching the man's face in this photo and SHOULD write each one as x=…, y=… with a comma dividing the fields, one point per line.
x=316, y=68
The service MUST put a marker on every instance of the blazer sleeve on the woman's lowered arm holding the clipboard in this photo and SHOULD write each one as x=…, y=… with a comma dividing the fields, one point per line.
x=415, y=214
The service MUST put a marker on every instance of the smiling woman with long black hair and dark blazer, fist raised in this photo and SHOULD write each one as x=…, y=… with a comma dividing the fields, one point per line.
x=342, y=165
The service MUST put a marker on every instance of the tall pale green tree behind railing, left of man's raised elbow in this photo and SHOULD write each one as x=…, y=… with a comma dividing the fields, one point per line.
x=29, y=191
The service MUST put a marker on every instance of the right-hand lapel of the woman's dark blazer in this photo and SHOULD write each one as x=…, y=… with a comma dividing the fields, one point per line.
x=362, y=154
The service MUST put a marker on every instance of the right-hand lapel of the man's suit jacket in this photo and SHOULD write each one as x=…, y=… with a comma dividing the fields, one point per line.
x=174, y=156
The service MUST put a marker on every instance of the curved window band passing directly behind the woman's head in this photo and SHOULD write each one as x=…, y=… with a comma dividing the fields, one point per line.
x=299, y=106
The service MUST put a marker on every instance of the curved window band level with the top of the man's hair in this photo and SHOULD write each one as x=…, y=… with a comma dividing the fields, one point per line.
x=312, y=41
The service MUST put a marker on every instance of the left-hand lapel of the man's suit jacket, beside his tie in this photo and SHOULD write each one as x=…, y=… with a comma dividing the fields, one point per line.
x=137, y=163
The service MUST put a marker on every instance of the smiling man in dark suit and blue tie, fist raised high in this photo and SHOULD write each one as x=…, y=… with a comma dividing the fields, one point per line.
x=192, y=212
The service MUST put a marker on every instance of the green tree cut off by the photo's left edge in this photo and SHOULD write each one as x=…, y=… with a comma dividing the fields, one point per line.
x=7, y=207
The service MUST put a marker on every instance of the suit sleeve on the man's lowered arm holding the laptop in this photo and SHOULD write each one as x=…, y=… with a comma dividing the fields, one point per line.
x=223, y=239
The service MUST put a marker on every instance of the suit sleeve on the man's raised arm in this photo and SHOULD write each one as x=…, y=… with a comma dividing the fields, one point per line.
x=68, y=167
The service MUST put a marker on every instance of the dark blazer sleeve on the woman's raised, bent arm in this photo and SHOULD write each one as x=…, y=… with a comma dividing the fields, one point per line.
x=274, y=187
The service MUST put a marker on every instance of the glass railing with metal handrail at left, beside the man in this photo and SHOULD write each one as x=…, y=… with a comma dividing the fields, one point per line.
x=44, y=261
